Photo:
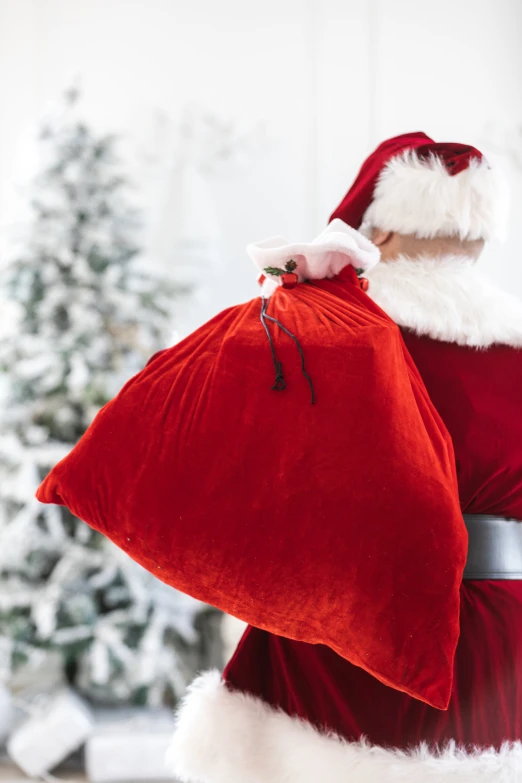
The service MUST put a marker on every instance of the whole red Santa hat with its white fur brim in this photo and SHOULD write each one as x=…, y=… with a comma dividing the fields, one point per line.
x=413, y=185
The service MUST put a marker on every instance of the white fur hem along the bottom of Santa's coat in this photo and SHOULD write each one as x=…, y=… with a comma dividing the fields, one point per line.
x=224, y=736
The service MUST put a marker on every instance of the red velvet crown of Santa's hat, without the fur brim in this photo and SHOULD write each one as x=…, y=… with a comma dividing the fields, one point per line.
x=456, y=158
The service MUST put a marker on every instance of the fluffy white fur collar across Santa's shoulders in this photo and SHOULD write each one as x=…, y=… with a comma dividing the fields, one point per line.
x=448, y=299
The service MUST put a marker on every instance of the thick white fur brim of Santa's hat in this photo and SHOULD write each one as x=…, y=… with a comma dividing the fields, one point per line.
x=420, y=197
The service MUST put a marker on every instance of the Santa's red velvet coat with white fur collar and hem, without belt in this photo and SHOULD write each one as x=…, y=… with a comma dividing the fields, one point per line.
x=288, y=711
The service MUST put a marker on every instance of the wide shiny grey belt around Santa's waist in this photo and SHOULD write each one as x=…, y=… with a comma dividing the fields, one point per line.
x=494, y=549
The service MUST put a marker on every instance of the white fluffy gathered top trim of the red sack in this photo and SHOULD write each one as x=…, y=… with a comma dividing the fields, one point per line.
x=336, y=247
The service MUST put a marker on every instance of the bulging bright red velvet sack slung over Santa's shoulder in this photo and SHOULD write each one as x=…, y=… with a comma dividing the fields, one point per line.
x=334, y=523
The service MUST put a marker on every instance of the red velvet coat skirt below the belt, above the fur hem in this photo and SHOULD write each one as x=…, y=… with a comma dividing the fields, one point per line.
x=313, y=683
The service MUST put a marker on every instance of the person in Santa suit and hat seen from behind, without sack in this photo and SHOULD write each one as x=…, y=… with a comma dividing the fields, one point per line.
x=290, y=712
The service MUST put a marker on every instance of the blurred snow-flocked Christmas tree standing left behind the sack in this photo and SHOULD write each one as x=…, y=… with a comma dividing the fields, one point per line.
x=89, y=317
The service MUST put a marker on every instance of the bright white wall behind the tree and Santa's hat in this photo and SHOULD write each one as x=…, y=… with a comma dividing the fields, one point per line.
x=327, y=78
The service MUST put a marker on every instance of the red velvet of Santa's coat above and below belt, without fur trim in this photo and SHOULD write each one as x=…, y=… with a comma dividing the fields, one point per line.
x=478, y=395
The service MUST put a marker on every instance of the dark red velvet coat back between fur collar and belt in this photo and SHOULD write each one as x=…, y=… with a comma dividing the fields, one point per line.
x=478, y=393
